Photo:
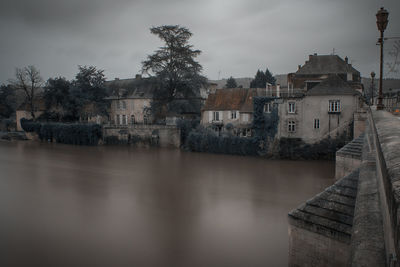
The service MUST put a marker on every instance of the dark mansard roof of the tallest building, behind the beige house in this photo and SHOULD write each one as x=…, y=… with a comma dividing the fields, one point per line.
x=326, y=64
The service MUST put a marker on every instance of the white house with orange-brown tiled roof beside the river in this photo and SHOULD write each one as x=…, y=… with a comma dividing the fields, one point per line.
x=230, y=108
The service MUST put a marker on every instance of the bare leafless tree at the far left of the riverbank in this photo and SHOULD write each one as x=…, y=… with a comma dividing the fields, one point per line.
x=28, y=80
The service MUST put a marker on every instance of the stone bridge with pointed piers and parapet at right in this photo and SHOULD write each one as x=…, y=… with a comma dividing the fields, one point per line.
x=356, y=221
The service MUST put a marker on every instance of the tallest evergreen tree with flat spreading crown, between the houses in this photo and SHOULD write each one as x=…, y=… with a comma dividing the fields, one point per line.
x=176, y=69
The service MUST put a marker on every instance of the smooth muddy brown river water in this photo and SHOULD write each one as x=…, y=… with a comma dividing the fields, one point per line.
x=64, y=205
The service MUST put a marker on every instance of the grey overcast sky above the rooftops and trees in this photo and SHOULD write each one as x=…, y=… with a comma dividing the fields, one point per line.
x=236, y=37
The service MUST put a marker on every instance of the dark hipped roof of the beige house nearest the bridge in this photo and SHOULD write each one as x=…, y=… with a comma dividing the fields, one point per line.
x=333, y=85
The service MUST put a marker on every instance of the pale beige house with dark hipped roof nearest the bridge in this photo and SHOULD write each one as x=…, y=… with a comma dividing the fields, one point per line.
x=325, y=110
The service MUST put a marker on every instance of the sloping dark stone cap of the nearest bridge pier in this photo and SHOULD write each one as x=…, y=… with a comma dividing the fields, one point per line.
x=331, y=212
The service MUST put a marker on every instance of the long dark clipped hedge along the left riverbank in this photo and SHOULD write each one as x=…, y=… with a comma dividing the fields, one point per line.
x=74, y=134
